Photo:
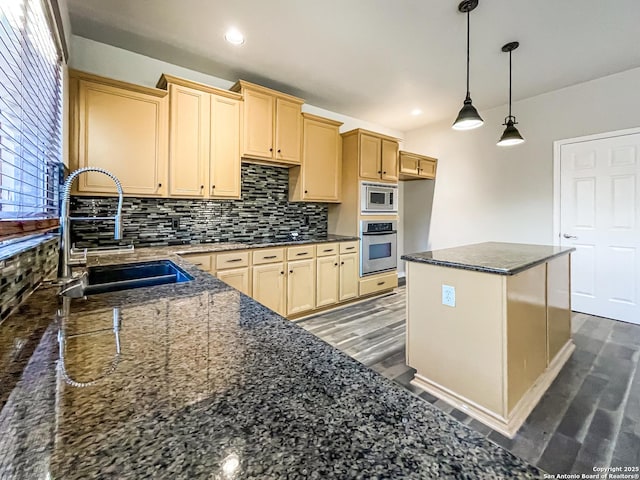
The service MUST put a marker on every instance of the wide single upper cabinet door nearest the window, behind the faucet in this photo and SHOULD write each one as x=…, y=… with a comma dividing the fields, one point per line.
x=124, y=132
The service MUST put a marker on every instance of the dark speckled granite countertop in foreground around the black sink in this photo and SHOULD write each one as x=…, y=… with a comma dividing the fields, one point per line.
x=210, y=384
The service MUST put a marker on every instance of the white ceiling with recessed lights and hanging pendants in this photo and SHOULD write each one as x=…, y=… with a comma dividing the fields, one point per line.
x=378, y=59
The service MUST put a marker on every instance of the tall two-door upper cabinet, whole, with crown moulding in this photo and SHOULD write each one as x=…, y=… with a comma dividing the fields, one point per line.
x=204, y=139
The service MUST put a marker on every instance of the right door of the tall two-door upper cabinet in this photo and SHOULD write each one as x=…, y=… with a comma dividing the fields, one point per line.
x=224, y=166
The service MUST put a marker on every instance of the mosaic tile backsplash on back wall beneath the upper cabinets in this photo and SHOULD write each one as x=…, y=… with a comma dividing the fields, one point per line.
x=263, y=212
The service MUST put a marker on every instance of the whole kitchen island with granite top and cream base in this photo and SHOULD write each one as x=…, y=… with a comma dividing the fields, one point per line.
x=489, y=326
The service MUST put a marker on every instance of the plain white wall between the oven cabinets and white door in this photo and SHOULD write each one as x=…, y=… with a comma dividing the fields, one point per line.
x=488, y=193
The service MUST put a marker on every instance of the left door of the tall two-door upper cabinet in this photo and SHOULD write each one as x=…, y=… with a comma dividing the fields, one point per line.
x=188, y=141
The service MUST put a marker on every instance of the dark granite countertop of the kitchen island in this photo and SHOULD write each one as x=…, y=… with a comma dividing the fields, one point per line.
x=490, y=257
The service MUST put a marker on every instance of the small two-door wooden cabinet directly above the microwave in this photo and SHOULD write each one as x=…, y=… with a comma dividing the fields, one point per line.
x=377, y=155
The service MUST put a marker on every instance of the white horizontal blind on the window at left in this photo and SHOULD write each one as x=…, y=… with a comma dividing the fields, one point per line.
x=30, y=114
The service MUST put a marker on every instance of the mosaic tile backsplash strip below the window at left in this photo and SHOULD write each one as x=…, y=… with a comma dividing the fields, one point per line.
x=21, y=273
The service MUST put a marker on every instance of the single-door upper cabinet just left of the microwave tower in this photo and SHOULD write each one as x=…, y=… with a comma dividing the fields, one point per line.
x=319, y=178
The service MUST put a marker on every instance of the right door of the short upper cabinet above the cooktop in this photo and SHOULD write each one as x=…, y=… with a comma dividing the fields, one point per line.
x=288, y=130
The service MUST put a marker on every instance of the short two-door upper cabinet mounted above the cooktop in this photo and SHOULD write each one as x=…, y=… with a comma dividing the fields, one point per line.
x=271, y=124
